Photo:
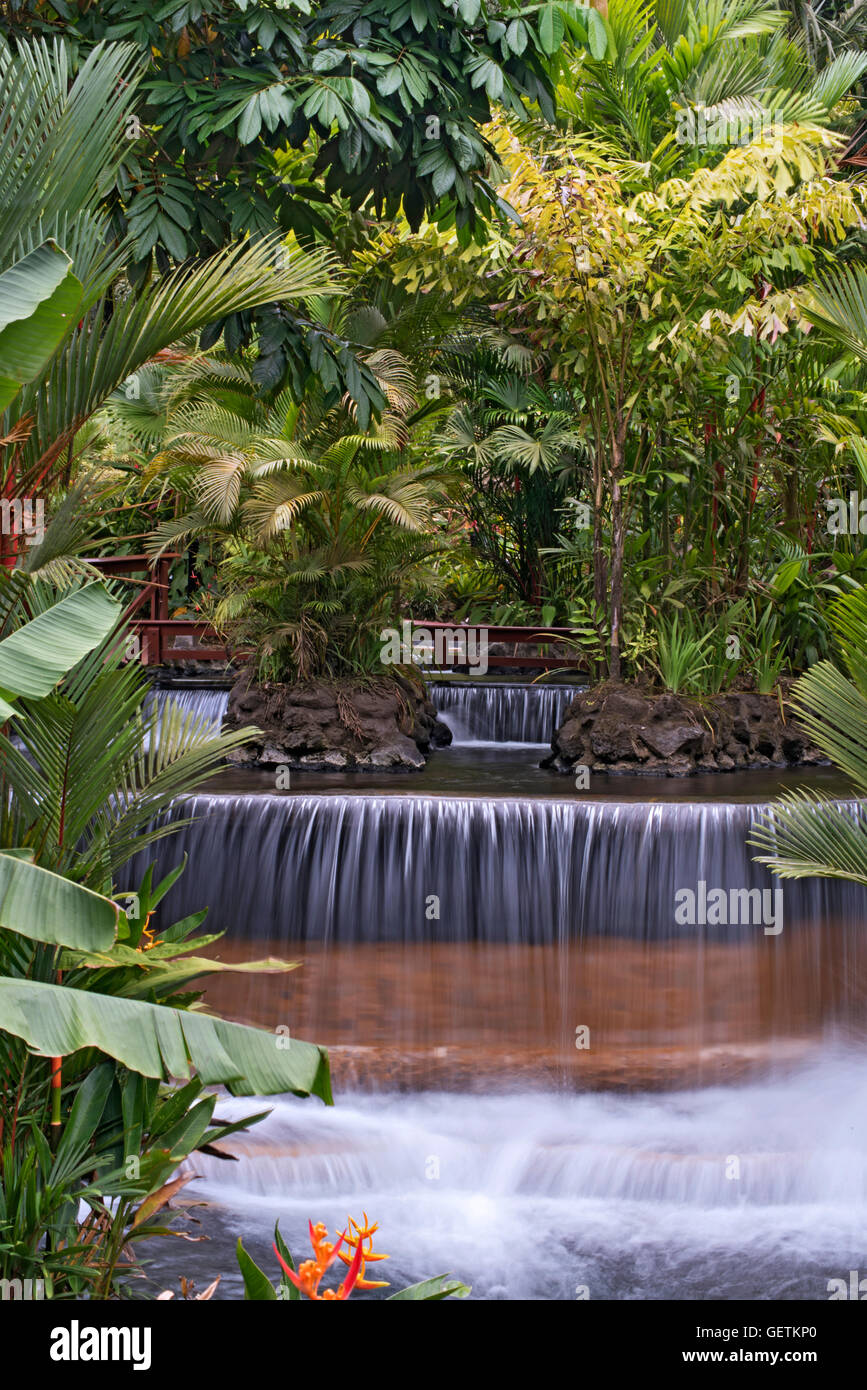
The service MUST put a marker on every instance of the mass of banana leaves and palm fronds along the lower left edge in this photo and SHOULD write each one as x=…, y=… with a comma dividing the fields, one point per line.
x=95, y=1013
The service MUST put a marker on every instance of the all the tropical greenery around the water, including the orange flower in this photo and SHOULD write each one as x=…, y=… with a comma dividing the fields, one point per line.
x=511, y=313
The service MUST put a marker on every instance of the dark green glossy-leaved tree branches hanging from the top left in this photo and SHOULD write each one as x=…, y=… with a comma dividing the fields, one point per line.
x=297, y=116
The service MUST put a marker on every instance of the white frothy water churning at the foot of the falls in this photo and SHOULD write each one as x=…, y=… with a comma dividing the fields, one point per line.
x=541, y=1196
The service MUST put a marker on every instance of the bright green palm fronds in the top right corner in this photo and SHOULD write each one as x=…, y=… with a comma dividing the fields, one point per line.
x=729, y=62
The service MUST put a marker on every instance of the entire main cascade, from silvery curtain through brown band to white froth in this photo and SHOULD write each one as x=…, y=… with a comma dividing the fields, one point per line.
x=530, y=1046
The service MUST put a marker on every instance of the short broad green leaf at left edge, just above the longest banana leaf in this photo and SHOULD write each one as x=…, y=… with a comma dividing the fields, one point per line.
x=44, y=907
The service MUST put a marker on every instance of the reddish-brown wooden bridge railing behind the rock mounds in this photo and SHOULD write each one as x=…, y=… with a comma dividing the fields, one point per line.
x=167, y=641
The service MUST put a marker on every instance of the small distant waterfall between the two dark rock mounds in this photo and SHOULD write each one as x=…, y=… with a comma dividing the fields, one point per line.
x=499, y=714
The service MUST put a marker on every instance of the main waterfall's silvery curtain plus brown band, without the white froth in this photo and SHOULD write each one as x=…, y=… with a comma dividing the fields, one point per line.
x=465, y=943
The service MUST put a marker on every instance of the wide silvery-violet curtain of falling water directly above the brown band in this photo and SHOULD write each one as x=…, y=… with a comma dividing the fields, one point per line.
x=411, y=868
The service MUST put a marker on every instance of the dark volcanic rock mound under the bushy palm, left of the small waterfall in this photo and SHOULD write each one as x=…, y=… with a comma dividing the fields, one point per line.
x=380, y=723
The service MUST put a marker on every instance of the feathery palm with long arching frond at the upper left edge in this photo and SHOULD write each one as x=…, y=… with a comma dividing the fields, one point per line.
x=70, y=333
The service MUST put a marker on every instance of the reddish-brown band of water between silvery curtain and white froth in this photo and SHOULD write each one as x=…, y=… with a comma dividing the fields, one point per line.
x=480, y=1017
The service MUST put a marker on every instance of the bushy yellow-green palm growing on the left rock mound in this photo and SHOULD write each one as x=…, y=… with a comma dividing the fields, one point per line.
x=322, y=529
